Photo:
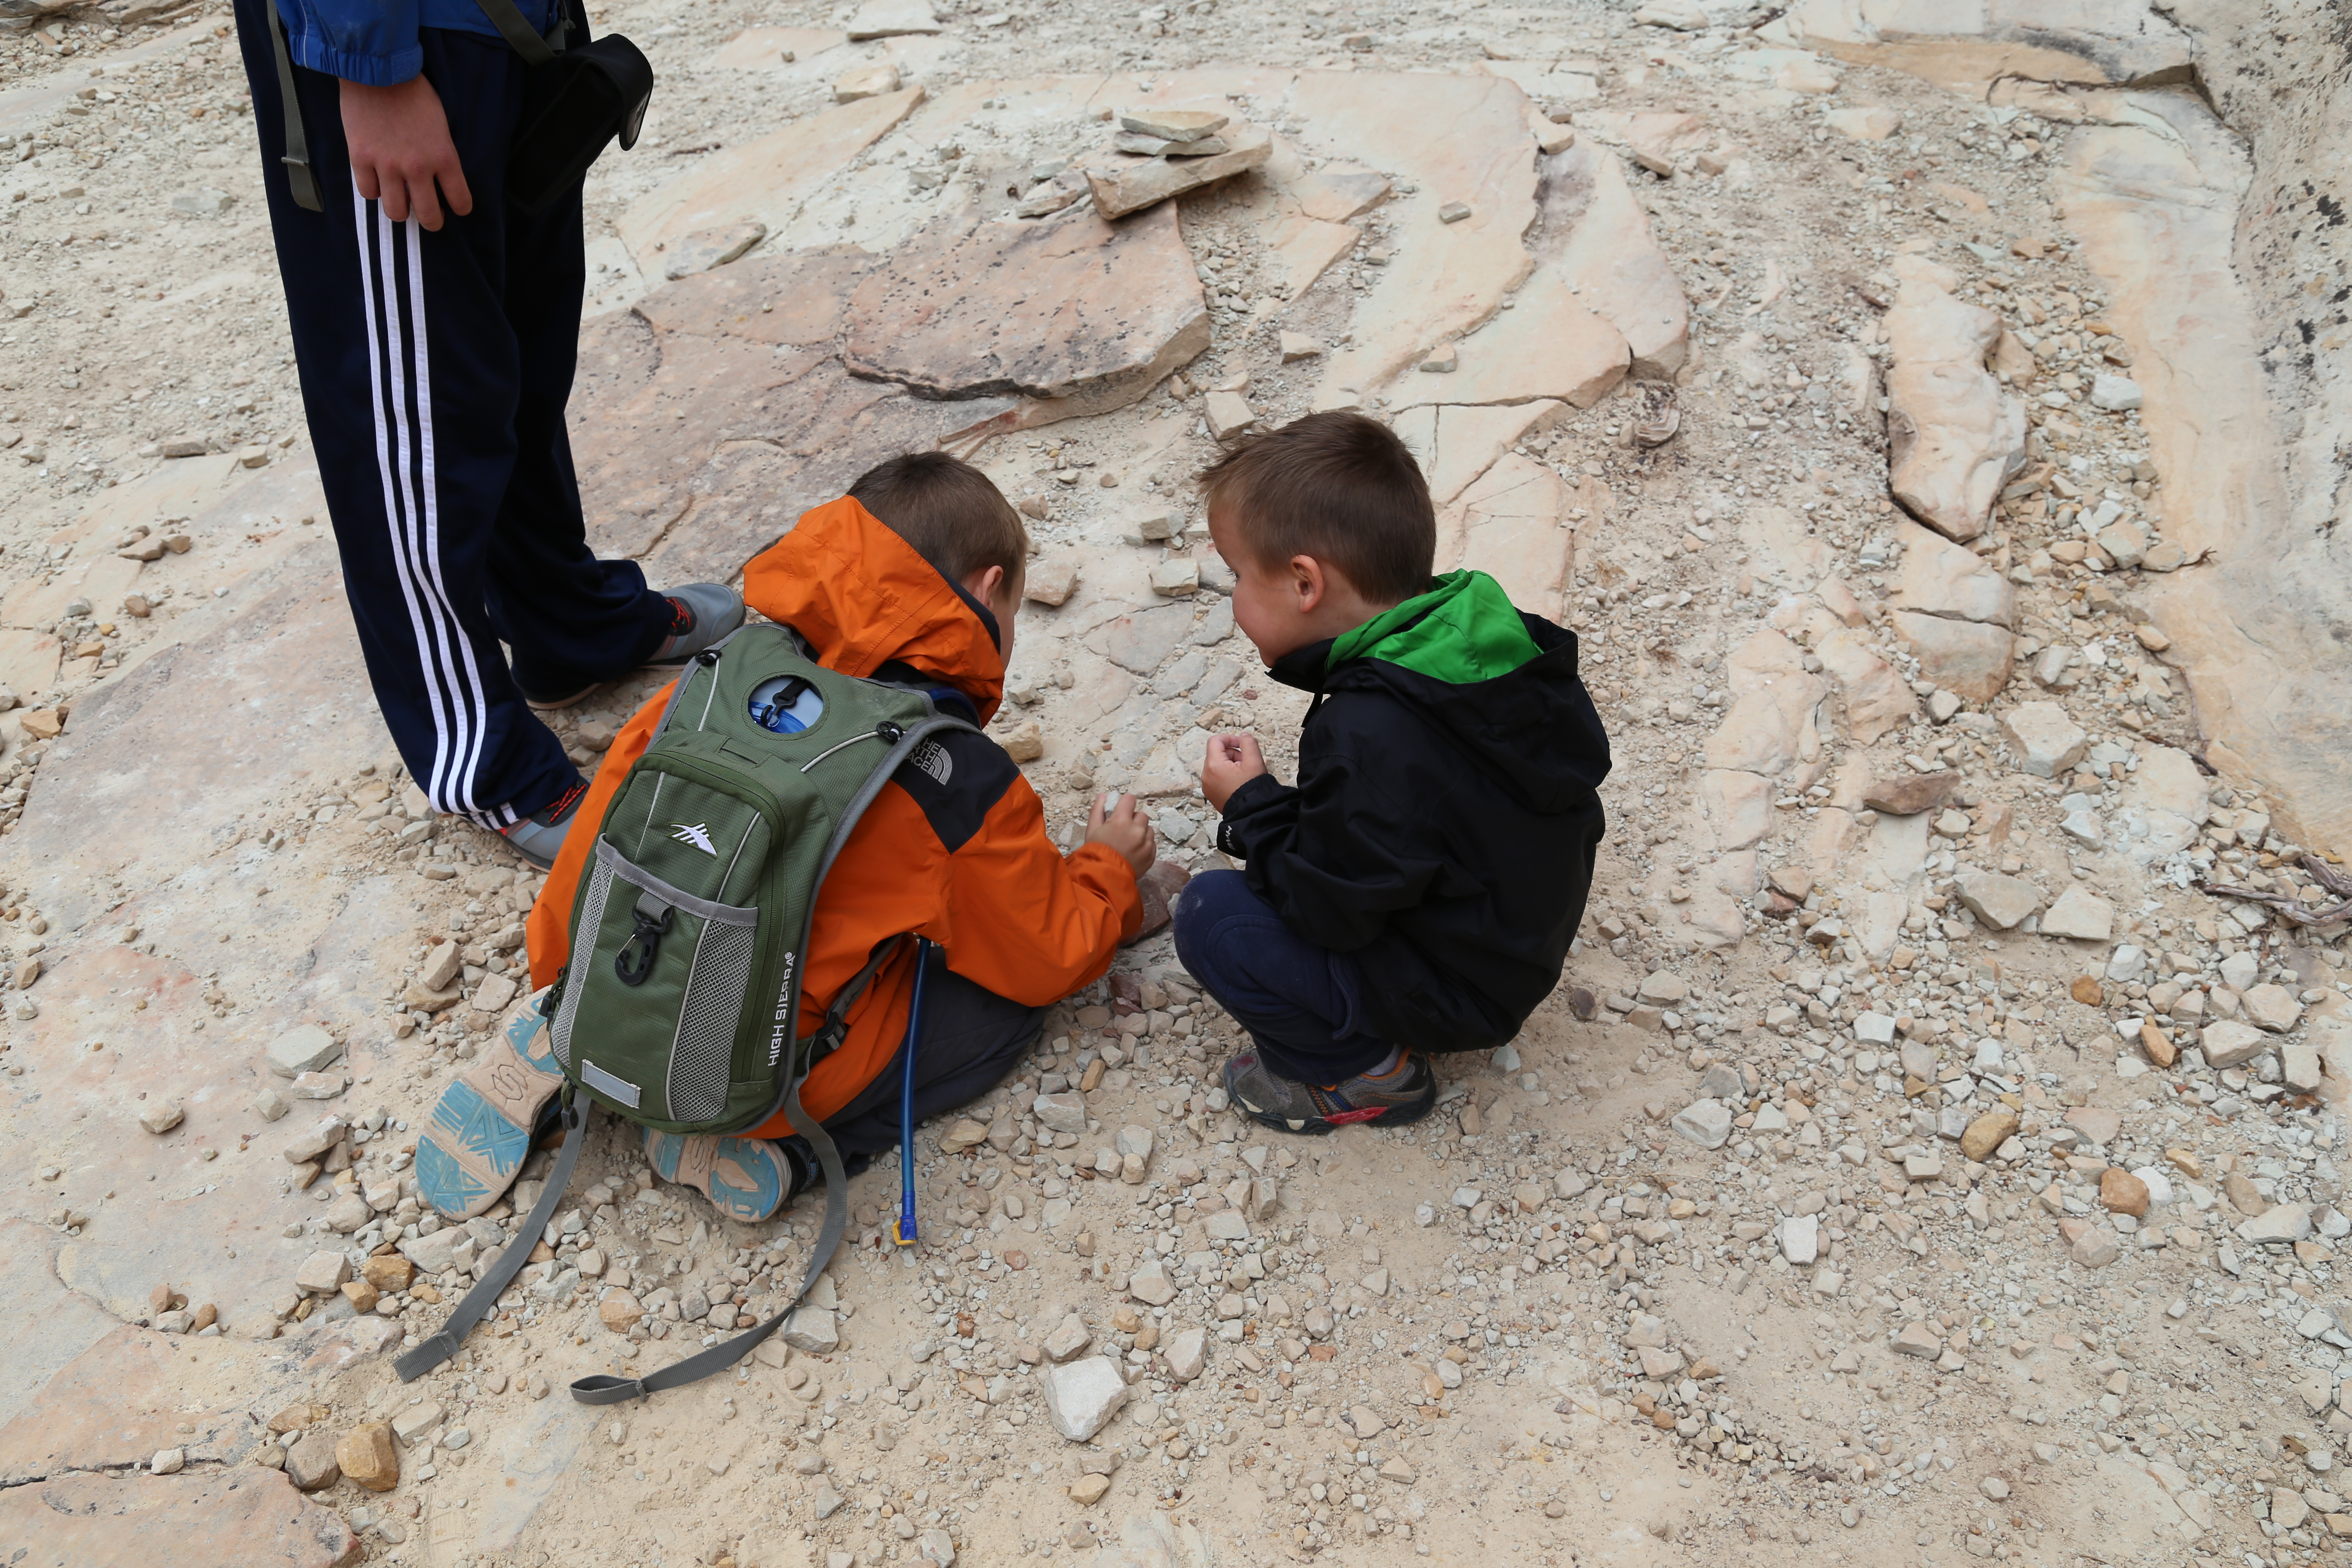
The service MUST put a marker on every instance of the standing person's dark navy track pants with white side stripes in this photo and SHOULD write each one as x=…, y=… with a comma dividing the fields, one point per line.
x=436, y=373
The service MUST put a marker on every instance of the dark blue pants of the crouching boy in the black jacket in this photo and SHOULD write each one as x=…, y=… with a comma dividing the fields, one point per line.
x=1297, y=1000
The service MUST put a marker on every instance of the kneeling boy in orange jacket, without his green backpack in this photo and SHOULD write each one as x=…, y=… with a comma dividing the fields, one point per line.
x=914, y=577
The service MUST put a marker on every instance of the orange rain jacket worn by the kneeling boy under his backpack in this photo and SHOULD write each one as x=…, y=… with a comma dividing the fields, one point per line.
x=965, y=864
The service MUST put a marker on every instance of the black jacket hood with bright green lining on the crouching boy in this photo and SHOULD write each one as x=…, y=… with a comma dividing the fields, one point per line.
x=1499, y=683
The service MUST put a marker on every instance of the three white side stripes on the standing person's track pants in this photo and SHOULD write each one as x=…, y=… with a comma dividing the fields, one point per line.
x=399, y=361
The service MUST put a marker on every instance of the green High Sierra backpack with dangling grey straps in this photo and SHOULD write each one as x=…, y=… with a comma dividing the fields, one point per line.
x=690, y=930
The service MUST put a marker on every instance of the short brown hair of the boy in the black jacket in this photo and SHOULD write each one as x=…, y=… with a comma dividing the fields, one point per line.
x=1339, y=488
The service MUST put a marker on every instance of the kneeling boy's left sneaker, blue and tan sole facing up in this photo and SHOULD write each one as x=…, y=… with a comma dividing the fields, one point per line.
x=488, y=1118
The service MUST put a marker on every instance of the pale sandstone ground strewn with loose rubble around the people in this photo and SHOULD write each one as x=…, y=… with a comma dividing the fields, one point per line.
x=1920, y=1146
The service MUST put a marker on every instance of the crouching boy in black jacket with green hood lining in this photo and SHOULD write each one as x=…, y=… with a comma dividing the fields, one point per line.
x=1419, y=887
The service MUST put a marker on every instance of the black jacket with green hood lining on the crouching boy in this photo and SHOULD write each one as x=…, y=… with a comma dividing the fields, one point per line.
x=1445, y=815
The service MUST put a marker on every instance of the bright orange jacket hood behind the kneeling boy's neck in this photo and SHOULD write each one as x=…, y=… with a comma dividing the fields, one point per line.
x=862, y=598
